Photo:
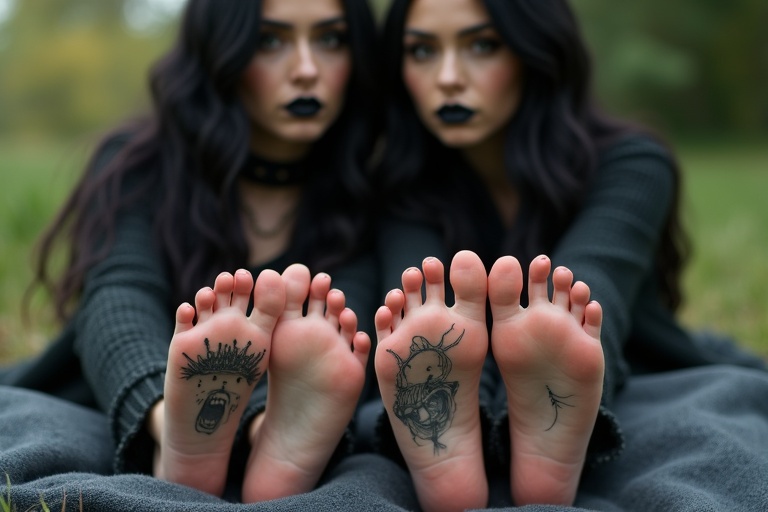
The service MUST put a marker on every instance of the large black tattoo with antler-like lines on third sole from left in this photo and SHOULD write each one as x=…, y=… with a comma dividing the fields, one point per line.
x=424, y=398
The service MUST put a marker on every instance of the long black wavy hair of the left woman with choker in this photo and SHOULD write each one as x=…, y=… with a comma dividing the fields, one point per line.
x=195, y=140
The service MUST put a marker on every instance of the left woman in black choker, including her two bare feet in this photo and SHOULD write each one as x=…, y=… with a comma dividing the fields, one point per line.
x=254, y=157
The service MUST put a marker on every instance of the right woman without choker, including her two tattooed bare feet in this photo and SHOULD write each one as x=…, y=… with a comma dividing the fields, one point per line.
x=495, y=141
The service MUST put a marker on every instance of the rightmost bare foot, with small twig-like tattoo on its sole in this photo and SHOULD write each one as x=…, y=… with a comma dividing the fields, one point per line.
x=550, y=357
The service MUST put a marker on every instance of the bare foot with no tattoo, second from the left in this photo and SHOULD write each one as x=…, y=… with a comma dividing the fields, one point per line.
x=316, y=375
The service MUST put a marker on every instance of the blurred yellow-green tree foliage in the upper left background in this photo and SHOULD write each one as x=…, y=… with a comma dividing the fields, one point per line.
x=69, y=68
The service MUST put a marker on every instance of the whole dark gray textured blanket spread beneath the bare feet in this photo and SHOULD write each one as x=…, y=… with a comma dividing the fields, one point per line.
x=696, y=440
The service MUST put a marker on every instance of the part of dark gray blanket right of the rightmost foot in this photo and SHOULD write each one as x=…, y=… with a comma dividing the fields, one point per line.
x=695, y=440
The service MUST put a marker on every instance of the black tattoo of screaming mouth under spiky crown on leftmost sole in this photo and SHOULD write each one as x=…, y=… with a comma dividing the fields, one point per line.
x=217, y=373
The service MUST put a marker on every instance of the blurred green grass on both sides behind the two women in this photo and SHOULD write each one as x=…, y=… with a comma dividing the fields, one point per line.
x=725, y=205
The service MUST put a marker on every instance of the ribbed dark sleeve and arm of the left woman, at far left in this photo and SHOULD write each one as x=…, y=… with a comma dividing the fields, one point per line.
x=124, y=326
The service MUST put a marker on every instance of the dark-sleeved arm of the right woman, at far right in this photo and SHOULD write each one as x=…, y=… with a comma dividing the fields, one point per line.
x=612, y=244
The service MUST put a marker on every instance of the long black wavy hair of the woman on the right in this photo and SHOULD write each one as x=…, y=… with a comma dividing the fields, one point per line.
x=552, y=143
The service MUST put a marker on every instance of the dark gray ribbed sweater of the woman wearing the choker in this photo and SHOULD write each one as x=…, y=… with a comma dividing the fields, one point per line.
x=112, y=353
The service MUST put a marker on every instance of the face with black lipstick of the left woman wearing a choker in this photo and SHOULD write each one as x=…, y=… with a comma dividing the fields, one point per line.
x=293, y=88
